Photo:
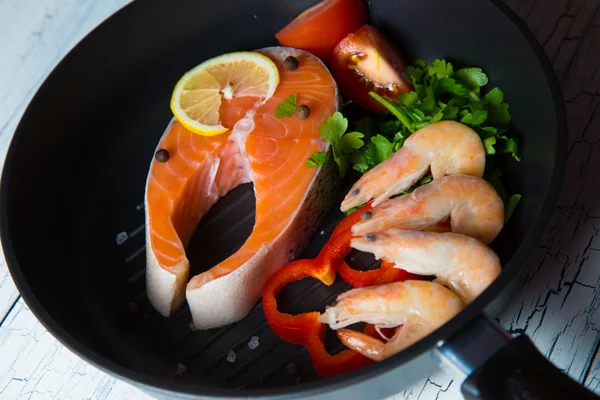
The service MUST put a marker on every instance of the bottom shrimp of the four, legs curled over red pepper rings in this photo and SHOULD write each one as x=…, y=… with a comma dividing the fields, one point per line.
x=420, y=307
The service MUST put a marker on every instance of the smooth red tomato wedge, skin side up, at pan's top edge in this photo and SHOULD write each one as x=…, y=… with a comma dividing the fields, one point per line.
x=320, y=28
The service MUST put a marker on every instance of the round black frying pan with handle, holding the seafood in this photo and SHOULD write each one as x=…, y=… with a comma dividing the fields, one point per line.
x=74, y=178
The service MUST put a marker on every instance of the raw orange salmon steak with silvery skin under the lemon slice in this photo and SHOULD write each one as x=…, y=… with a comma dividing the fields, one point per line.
x=291, y=198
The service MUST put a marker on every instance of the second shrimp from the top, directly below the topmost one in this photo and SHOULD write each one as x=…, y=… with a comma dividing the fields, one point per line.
x=473, y=205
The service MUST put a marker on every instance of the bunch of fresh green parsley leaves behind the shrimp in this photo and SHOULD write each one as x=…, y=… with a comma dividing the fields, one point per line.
x=440, y=93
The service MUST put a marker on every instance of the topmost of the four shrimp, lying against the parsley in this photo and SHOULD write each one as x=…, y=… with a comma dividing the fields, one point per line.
x=448, y=147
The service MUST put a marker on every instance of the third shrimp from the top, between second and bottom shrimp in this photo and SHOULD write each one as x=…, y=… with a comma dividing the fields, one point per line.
x=463, y=264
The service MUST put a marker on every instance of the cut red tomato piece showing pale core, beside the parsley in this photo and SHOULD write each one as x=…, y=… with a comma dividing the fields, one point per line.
x=366, y=61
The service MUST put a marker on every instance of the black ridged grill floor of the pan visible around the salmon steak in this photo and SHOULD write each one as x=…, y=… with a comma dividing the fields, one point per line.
x=205, y=352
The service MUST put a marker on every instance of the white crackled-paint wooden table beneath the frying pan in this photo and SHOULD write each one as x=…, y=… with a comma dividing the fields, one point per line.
x=556, y=304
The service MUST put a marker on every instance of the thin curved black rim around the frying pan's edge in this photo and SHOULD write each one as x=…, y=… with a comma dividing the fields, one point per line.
x=472, y=311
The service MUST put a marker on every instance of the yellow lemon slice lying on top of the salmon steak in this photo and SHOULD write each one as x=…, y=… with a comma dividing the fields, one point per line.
x=197, y=96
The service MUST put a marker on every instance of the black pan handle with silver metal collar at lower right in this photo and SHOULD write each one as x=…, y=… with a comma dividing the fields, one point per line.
x=501, y=367
